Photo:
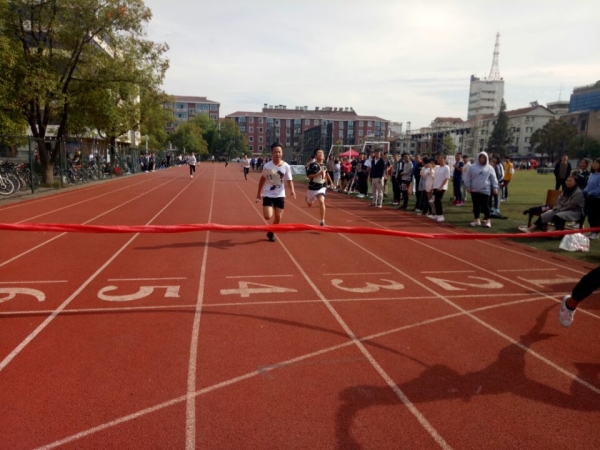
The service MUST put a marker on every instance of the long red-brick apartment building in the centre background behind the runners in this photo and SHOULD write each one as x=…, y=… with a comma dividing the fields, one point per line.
x=288, y=126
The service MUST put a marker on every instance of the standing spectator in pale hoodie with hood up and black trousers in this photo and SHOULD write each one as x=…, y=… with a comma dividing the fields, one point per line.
x=480, y=182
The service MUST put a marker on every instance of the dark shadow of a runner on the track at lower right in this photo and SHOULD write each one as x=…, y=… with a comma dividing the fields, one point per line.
x=507, y=375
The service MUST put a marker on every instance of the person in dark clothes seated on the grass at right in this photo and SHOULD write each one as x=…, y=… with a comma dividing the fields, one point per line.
x=569, y=208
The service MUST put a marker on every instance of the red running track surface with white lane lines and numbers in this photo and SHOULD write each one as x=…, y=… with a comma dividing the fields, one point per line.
x=247, y=344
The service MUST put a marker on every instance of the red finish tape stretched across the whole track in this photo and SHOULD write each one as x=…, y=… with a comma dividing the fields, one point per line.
x=282, y=228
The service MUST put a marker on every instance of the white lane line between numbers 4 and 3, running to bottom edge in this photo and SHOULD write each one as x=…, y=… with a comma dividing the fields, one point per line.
x=358, y=343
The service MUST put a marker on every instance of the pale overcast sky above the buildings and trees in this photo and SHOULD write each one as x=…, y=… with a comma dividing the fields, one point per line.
x=404, y=61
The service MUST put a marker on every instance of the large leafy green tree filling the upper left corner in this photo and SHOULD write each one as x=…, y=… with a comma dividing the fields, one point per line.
x=75, y=51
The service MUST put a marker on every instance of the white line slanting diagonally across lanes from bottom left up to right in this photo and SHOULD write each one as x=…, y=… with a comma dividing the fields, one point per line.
x=279, y=365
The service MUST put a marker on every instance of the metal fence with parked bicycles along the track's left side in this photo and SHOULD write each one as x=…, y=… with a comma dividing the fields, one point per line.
x=77, y=161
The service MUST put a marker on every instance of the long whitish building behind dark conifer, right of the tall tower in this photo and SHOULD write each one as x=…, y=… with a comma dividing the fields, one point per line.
x=522, y=123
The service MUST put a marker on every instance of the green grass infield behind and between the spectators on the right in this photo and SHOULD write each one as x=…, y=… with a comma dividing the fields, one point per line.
x=527, y=188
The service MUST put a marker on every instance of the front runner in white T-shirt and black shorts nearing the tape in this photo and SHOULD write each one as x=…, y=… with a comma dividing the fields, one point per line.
x=271, y=187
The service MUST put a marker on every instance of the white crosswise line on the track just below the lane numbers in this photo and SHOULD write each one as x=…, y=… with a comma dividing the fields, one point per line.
x=272, y=302
